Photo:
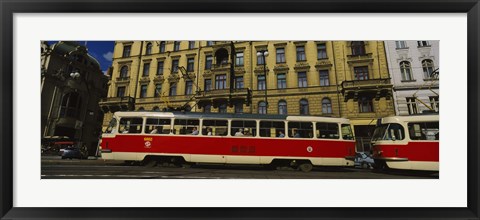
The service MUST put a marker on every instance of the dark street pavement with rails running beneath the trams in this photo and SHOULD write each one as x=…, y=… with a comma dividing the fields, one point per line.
x=55, y=168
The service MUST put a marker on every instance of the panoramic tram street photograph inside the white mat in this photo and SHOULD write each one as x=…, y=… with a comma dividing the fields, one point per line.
x=165, y=109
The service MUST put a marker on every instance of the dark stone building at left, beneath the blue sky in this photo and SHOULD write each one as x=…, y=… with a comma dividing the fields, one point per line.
x=72, y=85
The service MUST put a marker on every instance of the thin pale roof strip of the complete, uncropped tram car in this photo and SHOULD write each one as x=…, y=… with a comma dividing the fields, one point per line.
x=228, y=115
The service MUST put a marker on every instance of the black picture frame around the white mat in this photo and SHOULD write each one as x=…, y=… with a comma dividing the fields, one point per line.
x=10, y=7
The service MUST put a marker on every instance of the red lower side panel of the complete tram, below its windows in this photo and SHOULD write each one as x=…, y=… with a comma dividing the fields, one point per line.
x=228, y=149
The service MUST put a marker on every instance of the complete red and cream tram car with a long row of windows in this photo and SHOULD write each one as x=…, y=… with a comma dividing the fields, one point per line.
x=185, y=138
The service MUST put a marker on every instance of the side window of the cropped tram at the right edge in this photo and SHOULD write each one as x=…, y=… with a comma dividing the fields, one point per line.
x=424, y=130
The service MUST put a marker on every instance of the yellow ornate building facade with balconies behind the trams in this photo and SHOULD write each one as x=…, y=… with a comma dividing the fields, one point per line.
x=325, y=78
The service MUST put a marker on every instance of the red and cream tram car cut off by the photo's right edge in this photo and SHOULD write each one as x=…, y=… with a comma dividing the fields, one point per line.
x=407, y=142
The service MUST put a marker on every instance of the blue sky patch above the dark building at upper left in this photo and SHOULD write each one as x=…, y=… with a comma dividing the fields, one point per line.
x=101, y=50
